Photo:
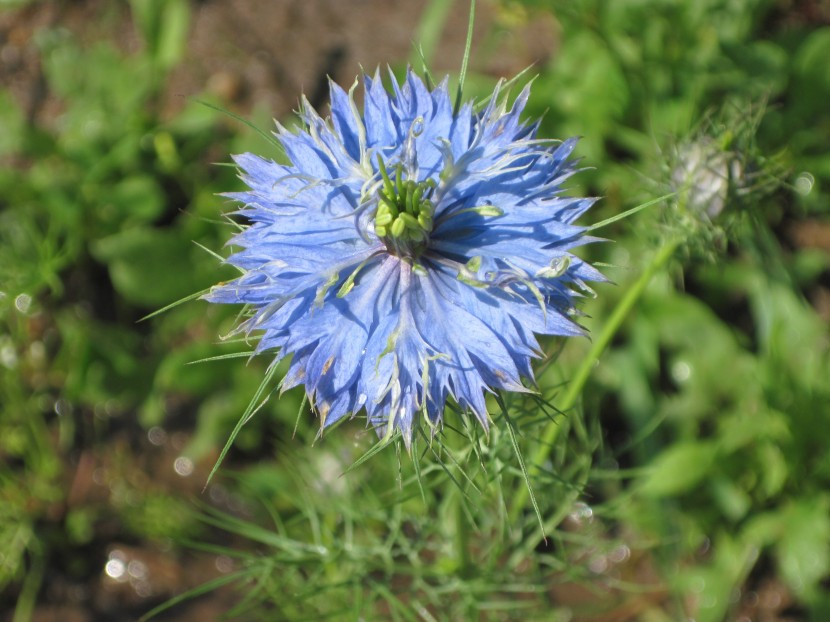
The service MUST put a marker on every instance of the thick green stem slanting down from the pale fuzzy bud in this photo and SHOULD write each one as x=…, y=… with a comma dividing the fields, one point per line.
x=577, y=383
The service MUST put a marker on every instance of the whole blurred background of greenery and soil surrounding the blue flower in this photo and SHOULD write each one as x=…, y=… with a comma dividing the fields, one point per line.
x=693, y=481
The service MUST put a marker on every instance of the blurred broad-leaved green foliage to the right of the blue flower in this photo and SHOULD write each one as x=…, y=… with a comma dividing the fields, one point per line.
x=721, y=377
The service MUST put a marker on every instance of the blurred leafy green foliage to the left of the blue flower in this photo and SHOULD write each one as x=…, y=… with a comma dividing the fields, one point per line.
x=101, y=206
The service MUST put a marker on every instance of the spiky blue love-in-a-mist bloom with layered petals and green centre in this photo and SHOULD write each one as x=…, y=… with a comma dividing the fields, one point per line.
x=408, y=254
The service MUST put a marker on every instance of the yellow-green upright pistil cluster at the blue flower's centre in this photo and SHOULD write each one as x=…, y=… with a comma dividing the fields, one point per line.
x=404, y=216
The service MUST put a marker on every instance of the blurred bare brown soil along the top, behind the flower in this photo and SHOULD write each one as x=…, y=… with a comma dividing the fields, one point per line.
x=267, y=53
